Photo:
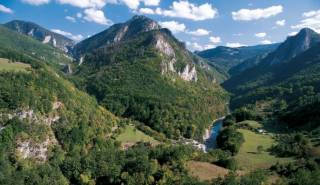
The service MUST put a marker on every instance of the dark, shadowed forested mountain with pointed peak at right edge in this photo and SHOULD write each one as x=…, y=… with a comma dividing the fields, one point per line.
x=295, y=80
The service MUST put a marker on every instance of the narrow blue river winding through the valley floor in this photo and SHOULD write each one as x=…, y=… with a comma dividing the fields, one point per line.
x=211, y=139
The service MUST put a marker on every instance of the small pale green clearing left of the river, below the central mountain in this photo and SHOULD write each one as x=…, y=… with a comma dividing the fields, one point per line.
x=131, y=135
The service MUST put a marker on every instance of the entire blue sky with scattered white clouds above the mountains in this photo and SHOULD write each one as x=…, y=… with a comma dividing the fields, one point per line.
x=200, y=23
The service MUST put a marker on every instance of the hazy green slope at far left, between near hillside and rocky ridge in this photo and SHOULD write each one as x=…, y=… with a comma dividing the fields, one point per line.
x=24, y=45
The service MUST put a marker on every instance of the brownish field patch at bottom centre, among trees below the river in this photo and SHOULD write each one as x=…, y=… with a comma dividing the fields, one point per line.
x=205, y=171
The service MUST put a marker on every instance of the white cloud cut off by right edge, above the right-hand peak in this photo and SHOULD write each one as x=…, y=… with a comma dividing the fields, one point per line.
x=311, y=20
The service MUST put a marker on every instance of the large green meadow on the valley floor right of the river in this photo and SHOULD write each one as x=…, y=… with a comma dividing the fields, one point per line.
x=249, y=159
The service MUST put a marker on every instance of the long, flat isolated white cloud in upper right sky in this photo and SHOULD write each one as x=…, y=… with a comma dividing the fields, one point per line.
x=255, y=14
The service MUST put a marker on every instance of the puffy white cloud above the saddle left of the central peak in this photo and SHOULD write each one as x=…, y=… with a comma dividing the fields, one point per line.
x=97, y=16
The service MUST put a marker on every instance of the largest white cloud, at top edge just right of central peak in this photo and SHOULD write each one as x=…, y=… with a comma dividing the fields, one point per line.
x=187, y=10
